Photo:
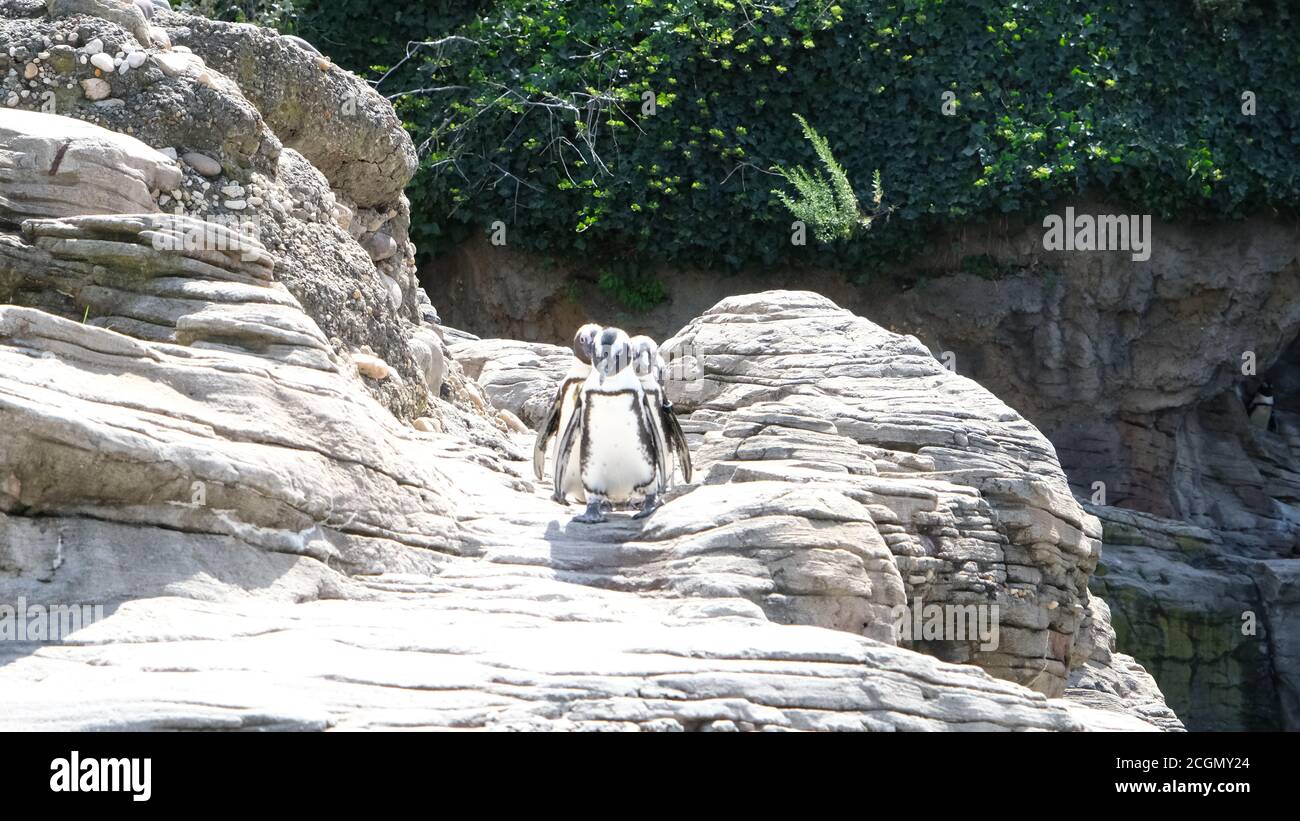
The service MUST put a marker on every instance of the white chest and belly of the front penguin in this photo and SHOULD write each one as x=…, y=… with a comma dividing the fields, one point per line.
x=616, y=450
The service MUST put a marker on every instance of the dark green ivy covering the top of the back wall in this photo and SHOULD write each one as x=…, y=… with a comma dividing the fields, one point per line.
x=538, y=118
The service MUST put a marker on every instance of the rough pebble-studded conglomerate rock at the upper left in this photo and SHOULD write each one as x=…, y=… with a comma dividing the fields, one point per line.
x=224, y=159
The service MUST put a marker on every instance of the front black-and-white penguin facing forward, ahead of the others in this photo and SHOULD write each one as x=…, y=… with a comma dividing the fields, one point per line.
x=612, y=432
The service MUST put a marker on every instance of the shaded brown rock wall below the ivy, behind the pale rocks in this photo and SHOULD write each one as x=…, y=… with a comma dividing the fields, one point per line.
x=1134, y=373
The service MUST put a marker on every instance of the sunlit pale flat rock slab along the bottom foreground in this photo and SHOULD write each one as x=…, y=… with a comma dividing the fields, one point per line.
x=540, y=657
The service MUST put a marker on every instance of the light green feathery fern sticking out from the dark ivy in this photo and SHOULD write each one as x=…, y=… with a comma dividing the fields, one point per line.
x=826, y=201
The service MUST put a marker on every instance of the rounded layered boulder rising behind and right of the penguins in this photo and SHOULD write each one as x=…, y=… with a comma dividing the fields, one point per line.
x=959, y=501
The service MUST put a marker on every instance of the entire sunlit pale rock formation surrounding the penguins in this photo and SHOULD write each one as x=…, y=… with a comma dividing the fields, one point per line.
x=226, y=420
